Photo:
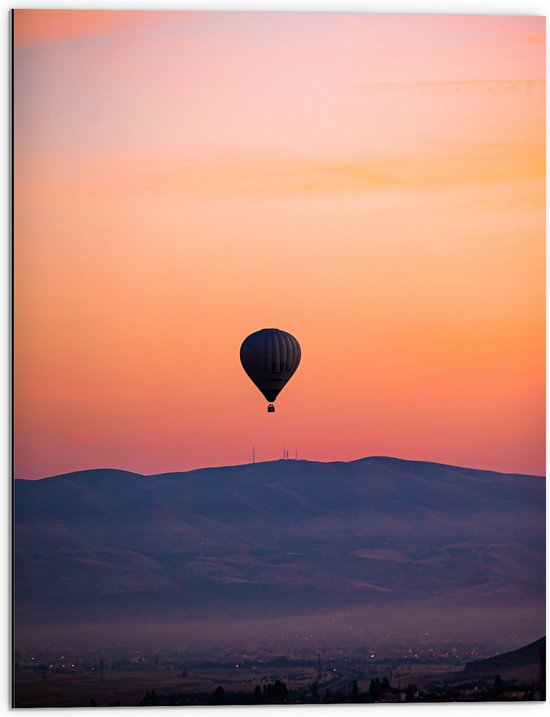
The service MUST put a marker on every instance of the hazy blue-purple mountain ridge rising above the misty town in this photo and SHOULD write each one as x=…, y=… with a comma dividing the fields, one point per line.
x=280, y=538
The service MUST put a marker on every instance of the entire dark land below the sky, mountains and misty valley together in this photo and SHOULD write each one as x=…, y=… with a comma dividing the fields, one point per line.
x=287, y=581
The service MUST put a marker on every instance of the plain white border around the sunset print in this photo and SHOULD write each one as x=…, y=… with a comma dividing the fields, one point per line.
x=480, y=7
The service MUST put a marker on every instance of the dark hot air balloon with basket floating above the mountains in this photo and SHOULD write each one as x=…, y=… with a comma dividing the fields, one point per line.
x=270, y=357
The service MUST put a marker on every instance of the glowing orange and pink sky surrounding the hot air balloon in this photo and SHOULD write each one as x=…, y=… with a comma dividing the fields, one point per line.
x=373, y=184
